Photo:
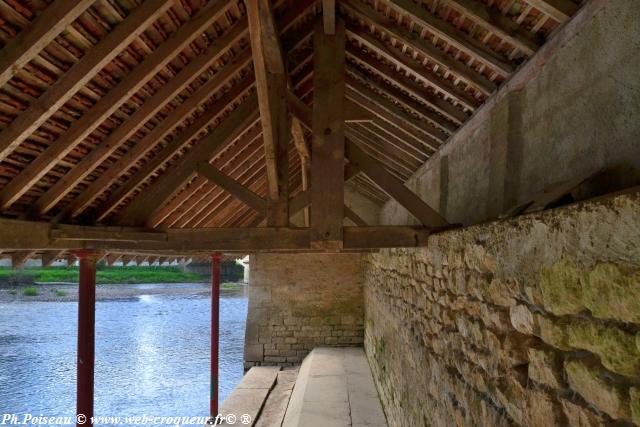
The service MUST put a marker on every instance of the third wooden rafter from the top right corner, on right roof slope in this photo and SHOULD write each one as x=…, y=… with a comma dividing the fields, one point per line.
x=452, y=35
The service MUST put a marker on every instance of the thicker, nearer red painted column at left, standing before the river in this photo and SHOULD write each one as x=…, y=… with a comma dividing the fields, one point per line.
x=86, y=336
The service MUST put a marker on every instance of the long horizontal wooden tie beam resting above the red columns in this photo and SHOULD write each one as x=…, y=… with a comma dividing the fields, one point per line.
x=33, y=236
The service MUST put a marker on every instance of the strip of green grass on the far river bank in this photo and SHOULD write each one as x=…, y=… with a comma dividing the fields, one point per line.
x=107, y=275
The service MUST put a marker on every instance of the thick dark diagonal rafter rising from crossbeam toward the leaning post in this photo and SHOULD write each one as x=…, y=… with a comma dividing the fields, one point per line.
x=147, y=204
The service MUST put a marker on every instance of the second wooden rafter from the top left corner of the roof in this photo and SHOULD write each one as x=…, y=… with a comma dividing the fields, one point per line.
x=80, y=74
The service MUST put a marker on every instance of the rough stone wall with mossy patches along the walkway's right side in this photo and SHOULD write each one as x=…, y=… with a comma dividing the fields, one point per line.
x=532, y=321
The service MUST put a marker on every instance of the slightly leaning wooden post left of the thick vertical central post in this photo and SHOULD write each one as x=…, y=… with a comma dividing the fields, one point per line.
x=271, y=83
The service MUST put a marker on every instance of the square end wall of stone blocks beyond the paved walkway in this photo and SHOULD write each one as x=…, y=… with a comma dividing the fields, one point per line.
x=301, y=301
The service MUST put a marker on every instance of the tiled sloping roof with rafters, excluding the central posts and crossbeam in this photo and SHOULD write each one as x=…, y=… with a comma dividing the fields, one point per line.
x=99, y=99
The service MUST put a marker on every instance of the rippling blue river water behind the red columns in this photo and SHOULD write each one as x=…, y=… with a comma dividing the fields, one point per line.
x=152, y=355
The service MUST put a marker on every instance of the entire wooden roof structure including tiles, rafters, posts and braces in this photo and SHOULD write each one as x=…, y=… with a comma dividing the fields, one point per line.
x=223, y=115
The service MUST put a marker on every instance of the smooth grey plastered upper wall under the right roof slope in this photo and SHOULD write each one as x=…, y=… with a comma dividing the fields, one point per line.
x=571, y=110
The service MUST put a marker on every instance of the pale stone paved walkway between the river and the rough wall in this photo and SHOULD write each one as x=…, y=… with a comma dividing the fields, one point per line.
x=333, y=387
